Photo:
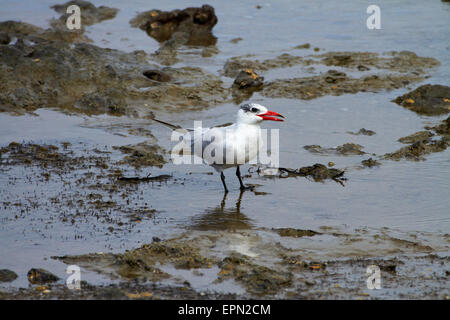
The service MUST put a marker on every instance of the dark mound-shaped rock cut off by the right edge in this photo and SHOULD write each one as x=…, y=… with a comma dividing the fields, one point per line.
x=431, y=100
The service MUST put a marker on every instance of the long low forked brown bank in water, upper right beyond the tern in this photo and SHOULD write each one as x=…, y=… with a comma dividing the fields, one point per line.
x=406, y=66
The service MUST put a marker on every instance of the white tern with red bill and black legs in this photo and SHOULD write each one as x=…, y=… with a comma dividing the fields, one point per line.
x=242, y=140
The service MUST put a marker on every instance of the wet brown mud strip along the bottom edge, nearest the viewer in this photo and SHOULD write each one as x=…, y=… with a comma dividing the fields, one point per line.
x=297, y=269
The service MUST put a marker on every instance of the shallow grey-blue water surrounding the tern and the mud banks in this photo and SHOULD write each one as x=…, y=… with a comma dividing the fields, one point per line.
x=401, y=195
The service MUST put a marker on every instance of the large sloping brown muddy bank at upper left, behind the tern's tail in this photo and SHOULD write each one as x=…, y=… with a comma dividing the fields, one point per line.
x=45, y=74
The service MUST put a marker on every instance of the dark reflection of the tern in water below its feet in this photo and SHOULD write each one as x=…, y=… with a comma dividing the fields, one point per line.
x=222, y=218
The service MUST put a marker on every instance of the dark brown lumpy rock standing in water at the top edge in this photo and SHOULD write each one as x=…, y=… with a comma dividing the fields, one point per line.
x=196, y=22
